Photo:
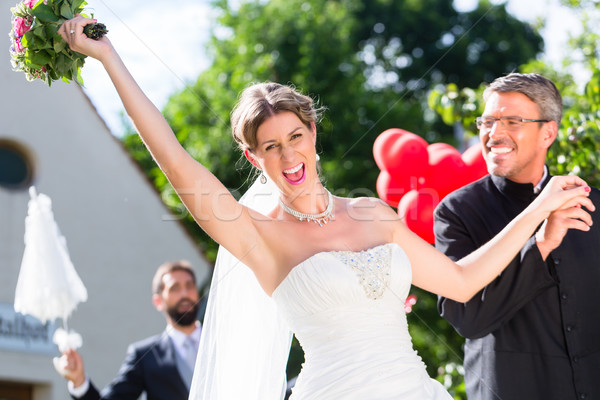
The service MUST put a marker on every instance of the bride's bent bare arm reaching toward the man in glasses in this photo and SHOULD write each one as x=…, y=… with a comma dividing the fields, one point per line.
x=460, y=281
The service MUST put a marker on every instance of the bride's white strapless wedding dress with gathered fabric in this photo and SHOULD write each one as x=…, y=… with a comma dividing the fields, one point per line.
x=347, y=311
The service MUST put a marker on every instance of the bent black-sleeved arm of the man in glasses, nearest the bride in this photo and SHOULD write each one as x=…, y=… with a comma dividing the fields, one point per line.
x=525, y=277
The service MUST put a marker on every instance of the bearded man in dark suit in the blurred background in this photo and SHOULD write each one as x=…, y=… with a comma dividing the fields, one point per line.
x=161, y=366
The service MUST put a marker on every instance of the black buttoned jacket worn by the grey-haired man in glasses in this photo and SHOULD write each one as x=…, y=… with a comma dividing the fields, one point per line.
x=534, y=332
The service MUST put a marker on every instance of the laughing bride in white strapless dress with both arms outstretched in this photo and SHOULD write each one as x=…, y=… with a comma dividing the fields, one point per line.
x=337, y=269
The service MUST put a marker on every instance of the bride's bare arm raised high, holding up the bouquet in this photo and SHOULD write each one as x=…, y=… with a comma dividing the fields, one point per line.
x=209, y=202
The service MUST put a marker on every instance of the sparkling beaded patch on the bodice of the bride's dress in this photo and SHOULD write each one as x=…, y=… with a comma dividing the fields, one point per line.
x=372, y=268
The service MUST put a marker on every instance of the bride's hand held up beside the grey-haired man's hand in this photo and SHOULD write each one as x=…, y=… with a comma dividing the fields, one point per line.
x=564, y=192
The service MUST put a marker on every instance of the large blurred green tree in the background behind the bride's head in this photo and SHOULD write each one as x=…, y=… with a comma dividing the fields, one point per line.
x=369, y=62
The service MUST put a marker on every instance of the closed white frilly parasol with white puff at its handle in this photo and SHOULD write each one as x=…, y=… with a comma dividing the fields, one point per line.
x=48, y=286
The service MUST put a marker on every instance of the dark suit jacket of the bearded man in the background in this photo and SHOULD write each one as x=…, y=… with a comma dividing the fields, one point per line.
x=150, y=366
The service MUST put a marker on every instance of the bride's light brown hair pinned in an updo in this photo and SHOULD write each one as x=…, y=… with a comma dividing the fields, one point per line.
x=261, y=101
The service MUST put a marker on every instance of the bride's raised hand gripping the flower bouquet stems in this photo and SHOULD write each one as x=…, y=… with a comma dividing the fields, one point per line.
x=72, y=33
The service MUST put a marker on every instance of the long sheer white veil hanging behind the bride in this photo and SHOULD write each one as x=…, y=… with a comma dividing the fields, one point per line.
x=245, y=344
